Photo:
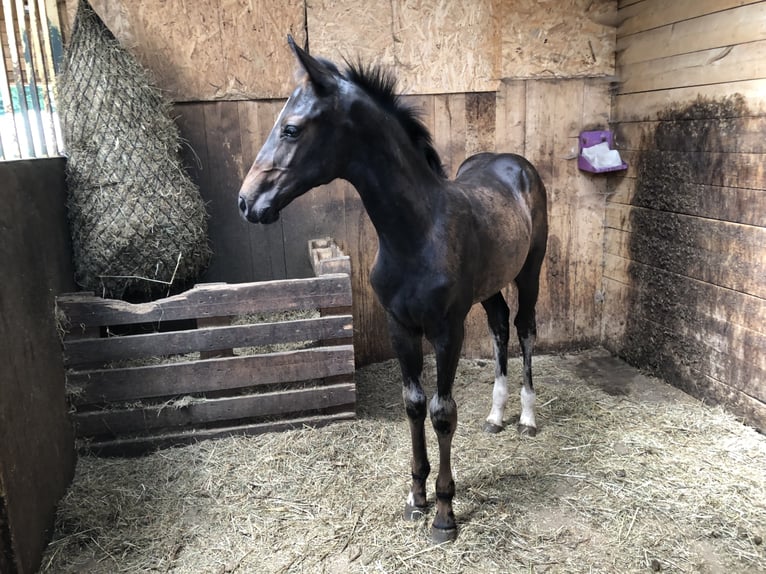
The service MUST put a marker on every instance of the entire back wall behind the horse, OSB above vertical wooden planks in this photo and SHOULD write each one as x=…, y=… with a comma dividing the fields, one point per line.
x=496, y=77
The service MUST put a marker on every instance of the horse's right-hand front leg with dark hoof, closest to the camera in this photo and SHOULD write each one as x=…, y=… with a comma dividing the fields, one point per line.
x=443, y=411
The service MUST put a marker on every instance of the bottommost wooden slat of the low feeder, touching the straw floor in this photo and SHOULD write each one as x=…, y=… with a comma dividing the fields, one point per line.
x=132, y=446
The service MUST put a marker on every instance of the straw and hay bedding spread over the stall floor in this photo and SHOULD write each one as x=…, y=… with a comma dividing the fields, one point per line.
x=638, y=479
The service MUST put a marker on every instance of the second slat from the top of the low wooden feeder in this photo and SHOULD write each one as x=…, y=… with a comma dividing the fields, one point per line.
x=80, y=351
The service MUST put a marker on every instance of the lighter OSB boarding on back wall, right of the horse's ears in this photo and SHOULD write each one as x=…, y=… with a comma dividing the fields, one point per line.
x=439, y=46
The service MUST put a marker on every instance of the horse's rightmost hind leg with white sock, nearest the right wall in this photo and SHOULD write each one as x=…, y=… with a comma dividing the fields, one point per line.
x=528, y=283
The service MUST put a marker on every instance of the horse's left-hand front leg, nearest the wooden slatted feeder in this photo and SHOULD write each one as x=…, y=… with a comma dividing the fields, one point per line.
x=409, y=350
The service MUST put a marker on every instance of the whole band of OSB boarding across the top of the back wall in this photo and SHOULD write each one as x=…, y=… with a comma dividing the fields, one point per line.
x=236, y=49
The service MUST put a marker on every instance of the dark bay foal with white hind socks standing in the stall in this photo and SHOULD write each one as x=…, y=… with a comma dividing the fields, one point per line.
x=443, y=245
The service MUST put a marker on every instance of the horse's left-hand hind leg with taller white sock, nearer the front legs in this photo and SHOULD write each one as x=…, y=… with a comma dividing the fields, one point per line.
x=498, y=315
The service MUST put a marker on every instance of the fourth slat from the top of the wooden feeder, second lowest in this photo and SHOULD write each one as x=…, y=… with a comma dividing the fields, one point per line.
x=203, y=411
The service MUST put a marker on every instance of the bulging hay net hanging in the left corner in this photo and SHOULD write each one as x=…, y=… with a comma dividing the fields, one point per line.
x=138, y=223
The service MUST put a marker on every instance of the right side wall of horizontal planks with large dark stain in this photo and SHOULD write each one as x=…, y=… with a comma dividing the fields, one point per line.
x=685, y=276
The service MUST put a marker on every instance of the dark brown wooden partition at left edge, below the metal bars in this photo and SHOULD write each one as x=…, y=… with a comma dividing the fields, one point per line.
x=37, y=447
